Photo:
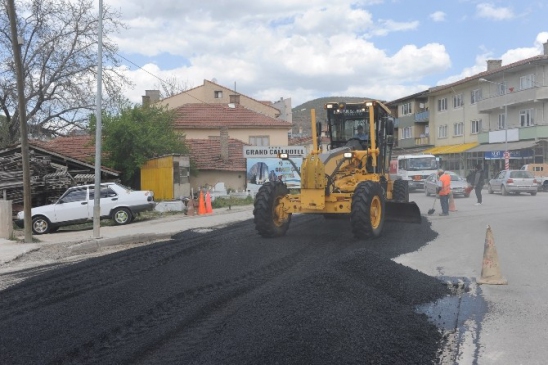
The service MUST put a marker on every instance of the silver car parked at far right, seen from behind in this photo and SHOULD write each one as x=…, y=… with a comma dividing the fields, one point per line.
x=513, y=181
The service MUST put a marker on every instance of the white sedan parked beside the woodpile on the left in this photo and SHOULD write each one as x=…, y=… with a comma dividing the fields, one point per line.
x=75, y=206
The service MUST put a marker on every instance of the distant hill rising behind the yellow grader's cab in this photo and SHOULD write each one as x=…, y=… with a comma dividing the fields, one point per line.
x=301, y=113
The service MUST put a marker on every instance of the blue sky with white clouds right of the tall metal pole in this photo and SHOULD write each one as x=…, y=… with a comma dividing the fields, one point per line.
x=307, y=49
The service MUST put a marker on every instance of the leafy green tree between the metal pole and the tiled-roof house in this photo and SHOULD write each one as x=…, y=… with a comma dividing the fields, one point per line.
x=136, y=135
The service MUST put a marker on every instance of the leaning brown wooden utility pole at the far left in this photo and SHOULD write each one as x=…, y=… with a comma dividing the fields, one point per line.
x=16, y=43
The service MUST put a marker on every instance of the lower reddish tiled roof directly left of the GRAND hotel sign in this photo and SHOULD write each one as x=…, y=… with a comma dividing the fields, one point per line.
x=206, y=153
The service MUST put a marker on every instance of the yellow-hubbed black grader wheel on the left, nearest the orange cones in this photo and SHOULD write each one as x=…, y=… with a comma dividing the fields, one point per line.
x=269, y=217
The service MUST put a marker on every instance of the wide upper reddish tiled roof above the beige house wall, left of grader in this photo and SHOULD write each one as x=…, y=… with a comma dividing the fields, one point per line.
x=214, y=116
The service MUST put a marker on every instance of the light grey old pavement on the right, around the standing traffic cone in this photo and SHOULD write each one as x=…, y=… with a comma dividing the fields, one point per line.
x=513, y=330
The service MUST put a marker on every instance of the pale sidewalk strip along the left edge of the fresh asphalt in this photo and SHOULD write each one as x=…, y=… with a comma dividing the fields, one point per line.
x=151, y=230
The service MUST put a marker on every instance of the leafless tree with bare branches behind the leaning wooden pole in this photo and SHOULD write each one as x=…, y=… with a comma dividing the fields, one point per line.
x=60, y=66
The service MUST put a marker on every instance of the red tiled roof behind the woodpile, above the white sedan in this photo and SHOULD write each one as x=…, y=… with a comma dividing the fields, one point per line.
x=79, y=148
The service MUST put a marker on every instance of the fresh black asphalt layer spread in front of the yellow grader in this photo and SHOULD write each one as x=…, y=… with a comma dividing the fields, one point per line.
x=228, y=296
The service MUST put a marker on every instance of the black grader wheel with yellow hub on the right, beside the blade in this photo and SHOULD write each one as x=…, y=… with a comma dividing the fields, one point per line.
x=367, y=210
